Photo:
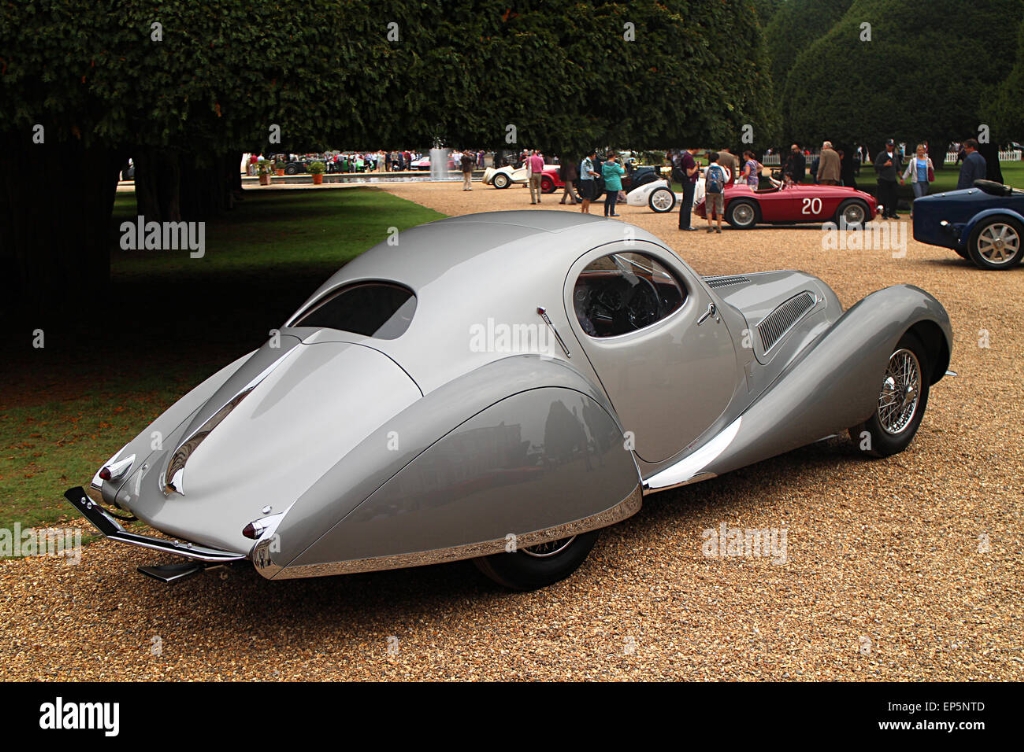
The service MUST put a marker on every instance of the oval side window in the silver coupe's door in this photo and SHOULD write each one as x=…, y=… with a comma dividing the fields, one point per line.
x=624, y=293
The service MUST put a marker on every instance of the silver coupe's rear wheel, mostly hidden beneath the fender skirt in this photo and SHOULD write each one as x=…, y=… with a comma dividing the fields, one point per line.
x=538, y=567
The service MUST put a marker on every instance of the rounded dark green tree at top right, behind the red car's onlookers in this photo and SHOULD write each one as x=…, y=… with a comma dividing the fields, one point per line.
x=912, y=79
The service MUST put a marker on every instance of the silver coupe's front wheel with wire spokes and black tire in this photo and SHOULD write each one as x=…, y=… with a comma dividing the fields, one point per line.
x=898, y=416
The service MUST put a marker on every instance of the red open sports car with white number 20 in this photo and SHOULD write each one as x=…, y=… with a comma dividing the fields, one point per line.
x=782, y=204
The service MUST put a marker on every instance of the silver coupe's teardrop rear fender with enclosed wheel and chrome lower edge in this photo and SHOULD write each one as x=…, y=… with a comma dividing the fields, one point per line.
x=524, y=446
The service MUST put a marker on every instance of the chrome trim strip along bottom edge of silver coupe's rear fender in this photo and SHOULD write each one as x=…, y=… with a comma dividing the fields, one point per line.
x=626, y=509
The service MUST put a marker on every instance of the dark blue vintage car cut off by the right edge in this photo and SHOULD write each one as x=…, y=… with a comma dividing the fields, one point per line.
x=985, y=224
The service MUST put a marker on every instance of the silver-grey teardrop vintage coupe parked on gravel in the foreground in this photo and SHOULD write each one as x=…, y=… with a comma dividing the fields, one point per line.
x=502, y=387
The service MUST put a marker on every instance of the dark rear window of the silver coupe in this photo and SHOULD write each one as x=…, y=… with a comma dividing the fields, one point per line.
x=378, y=310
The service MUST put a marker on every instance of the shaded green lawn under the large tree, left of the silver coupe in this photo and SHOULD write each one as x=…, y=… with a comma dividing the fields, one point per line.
x=169, y=322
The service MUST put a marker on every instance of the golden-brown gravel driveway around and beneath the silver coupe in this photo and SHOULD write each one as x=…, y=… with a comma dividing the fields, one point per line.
x=906, y=569
